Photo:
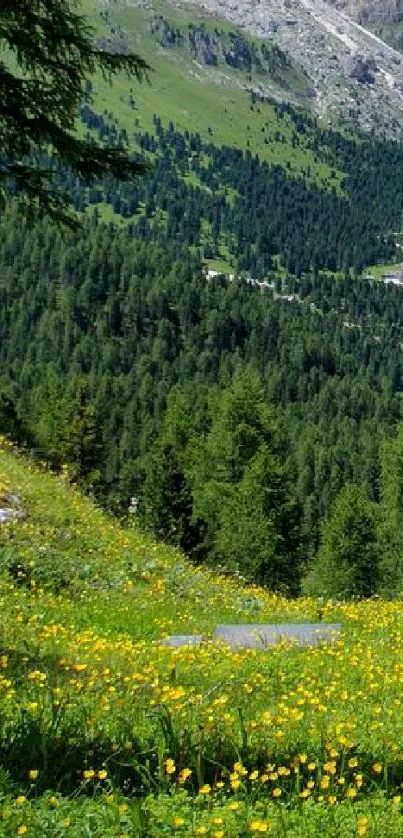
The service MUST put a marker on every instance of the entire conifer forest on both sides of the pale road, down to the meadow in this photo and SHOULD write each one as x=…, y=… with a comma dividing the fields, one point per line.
x=249, y=419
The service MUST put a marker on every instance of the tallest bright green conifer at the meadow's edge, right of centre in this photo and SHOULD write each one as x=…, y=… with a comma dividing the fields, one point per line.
x=242, y=491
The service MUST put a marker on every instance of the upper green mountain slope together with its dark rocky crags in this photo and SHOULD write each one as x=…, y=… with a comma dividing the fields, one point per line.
x=217, y=100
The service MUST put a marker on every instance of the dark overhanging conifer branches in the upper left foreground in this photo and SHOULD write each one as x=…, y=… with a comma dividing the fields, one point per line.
x=47, y=54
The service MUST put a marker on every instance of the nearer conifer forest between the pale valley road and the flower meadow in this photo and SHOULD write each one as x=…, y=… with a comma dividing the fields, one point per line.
x=118, y=359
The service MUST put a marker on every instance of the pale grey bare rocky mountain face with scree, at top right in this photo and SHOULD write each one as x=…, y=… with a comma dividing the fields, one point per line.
x=354, y=74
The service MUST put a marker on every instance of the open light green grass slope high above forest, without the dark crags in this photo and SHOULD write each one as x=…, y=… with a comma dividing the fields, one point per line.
x=186, y=93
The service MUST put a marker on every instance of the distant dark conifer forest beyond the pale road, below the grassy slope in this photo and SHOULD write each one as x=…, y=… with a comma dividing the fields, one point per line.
x=233, y=205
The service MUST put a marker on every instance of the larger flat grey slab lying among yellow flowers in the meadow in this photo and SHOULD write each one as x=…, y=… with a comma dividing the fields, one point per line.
x=260, y=636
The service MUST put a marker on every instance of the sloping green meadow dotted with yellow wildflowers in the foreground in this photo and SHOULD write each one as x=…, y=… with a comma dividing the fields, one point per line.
x=106, y=732
